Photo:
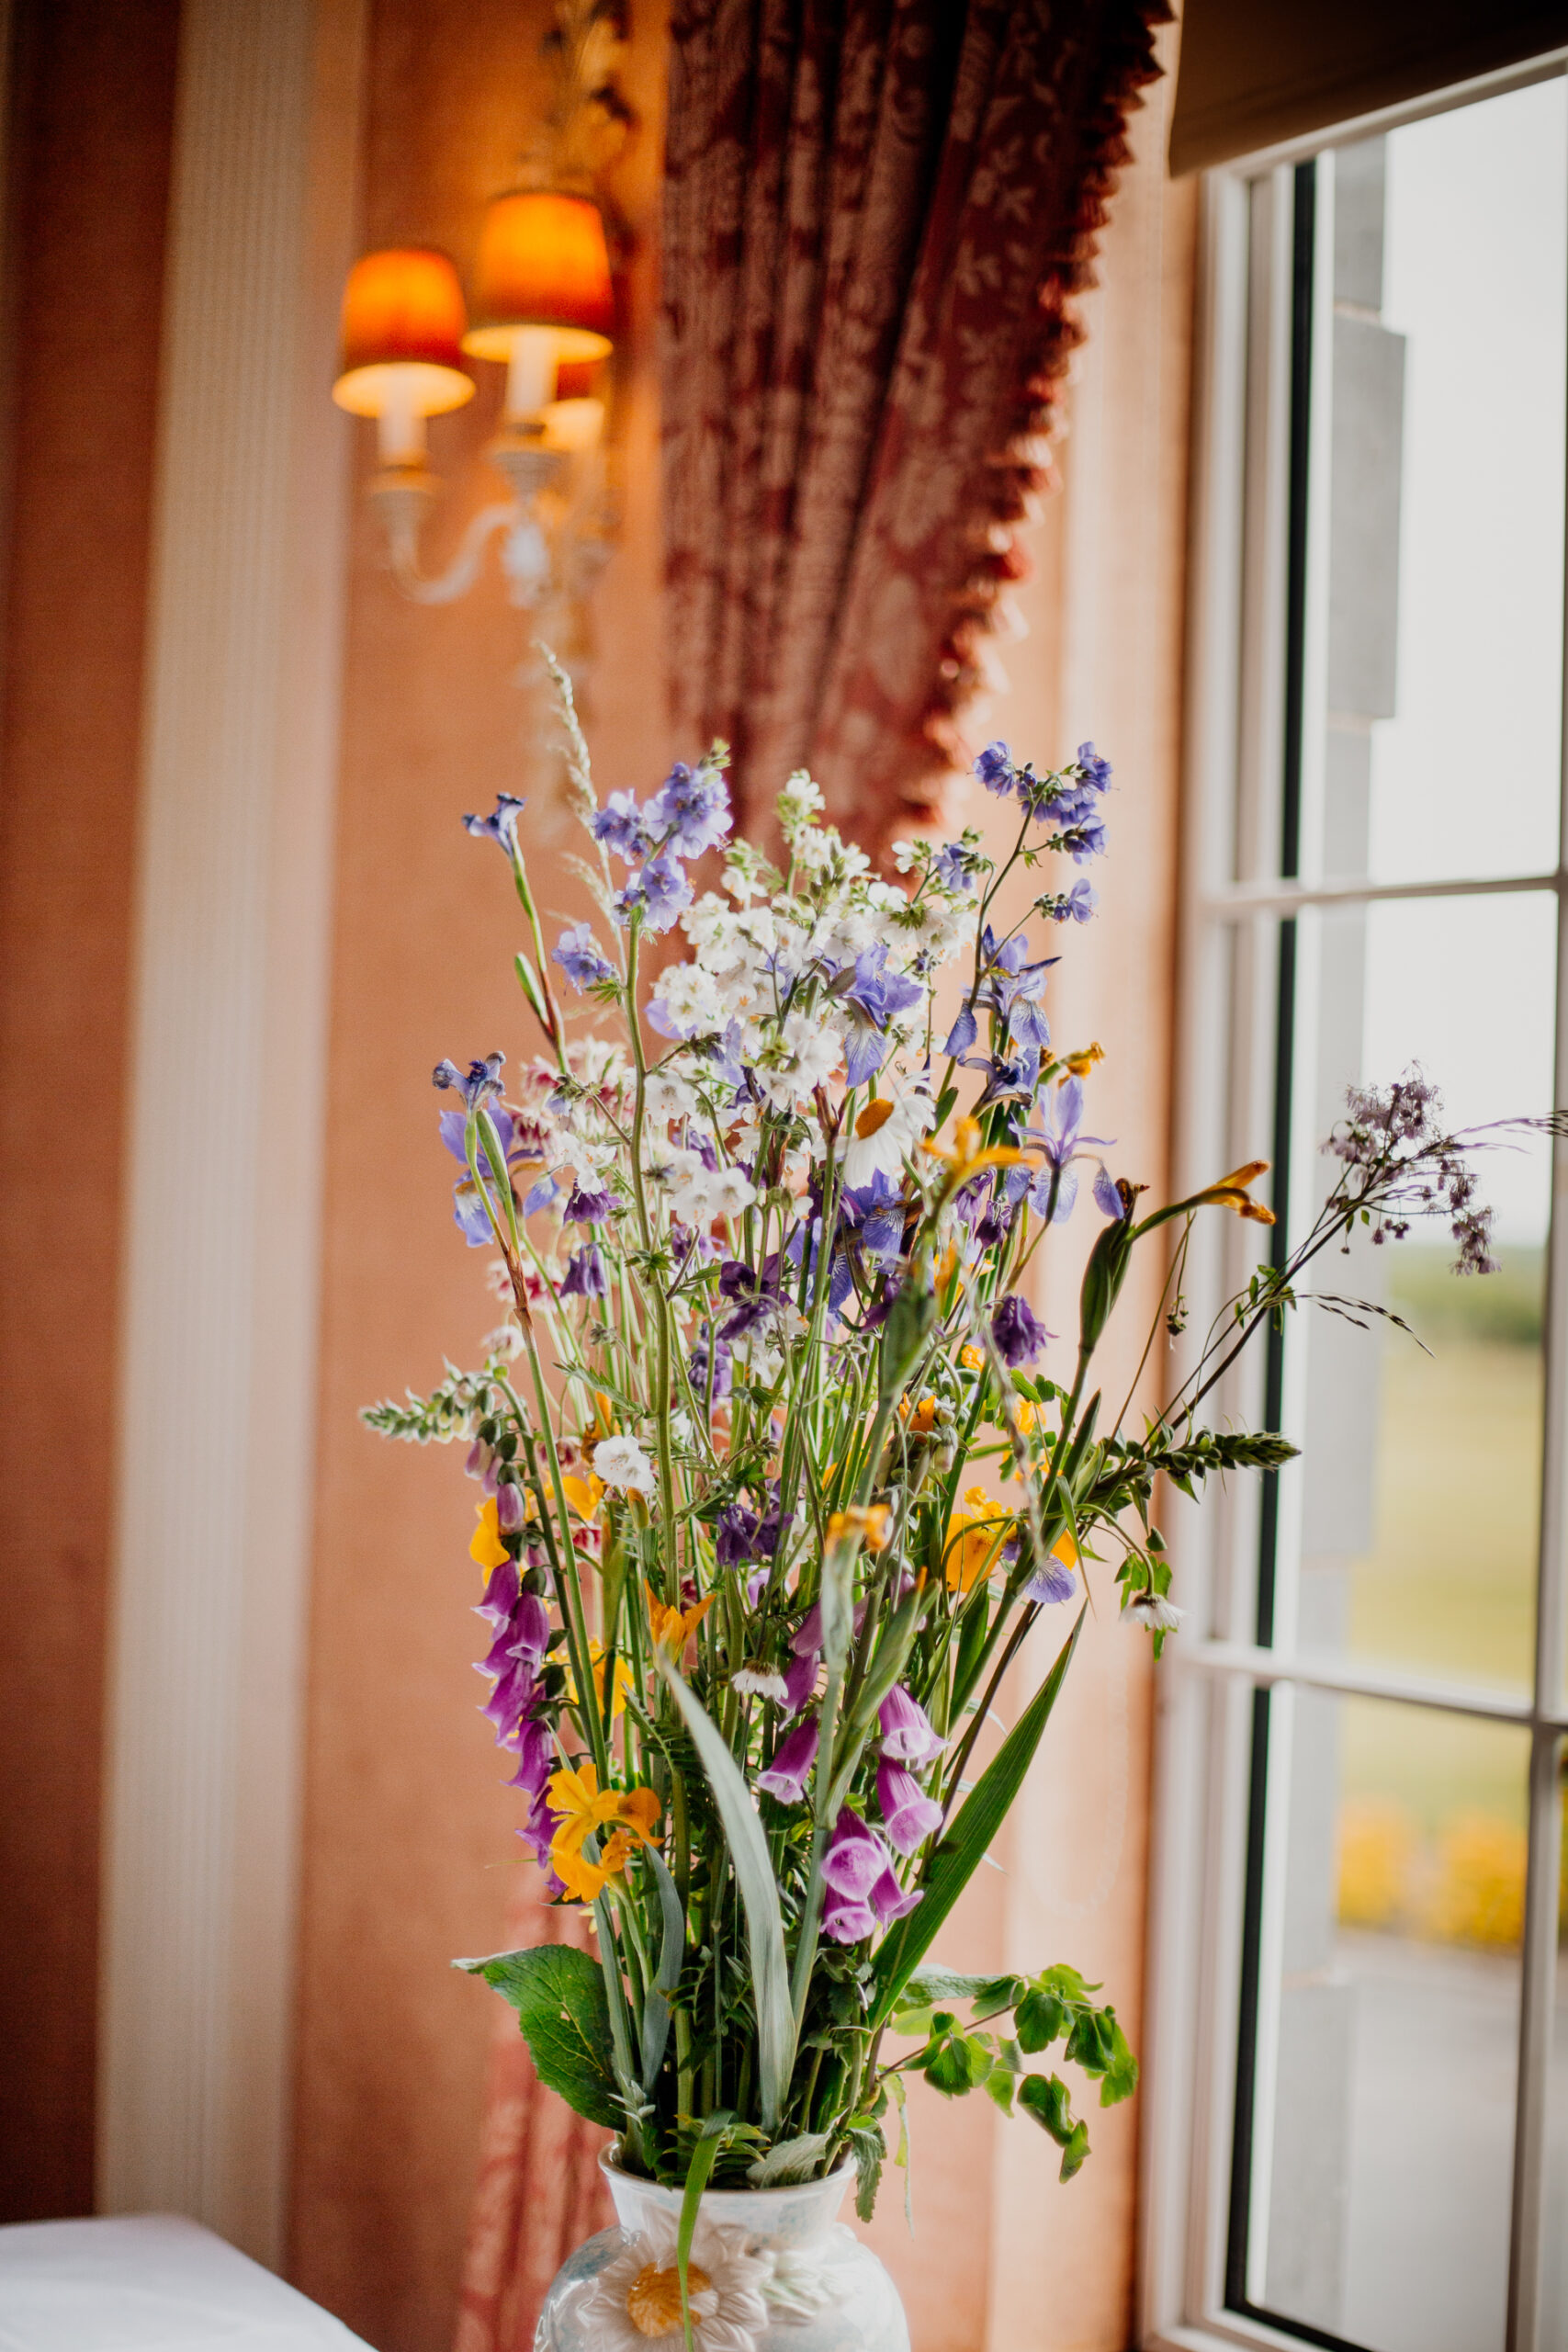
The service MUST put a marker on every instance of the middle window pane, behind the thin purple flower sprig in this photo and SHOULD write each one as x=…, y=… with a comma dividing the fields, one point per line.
x=1421, y=1455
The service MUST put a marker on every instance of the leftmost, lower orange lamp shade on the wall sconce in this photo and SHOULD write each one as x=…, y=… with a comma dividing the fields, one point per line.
x=403, y=312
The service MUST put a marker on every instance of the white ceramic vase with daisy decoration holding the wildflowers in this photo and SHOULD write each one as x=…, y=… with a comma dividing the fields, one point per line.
x=772, y=2271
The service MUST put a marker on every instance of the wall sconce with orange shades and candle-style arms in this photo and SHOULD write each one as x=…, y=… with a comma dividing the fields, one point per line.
x=544, y=307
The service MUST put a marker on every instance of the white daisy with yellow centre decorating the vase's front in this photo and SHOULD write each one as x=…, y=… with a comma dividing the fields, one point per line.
x=634, y=2304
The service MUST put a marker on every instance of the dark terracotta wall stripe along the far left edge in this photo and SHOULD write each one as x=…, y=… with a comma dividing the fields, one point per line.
x=91, y=140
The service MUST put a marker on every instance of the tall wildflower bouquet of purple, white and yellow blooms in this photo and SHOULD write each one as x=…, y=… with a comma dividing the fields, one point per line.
x=775, y=1483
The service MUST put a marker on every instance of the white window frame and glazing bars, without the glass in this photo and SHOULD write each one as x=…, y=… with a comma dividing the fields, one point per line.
x=1226, y=1090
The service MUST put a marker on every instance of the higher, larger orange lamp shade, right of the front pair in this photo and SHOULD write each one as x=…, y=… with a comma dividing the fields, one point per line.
x=542, y=265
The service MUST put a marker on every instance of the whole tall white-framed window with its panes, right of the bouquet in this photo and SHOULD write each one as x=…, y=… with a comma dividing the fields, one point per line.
x=1358, y=2120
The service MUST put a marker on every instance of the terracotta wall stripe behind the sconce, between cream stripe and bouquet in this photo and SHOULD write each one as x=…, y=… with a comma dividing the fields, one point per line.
x=410, y=1852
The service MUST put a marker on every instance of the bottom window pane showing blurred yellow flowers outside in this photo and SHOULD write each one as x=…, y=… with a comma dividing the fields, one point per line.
x=1388, y=2024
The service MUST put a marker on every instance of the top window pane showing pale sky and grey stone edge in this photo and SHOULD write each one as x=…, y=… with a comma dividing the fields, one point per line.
x=1447, y=493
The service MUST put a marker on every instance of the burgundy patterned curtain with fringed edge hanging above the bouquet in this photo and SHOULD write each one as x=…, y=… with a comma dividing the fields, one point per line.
x=876, y=220
